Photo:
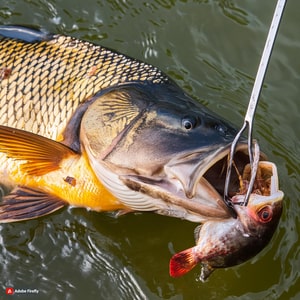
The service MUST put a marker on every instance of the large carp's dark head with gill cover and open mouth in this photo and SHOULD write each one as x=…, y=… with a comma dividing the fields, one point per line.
x=156, y=149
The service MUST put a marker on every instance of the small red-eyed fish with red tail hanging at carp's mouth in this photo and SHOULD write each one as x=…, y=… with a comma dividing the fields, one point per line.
x=230, y=242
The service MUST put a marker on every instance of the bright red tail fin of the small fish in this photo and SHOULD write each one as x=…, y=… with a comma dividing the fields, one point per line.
x=182, y=262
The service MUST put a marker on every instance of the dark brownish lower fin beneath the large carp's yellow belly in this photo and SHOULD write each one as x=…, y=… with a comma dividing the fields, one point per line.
x=25, y=203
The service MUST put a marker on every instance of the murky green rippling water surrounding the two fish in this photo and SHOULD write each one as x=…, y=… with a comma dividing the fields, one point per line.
x=212, y=49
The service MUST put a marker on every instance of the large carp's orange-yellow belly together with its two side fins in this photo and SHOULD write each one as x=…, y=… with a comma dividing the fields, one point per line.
x=49, y=176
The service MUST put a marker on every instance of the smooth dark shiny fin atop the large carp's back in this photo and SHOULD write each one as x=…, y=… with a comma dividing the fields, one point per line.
x=25, y=34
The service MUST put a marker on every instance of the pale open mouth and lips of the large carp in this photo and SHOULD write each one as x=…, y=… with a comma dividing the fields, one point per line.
x=195, y=182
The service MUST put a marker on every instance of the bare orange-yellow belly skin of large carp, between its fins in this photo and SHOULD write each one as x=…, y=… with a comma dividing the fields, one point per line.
x=74, y=182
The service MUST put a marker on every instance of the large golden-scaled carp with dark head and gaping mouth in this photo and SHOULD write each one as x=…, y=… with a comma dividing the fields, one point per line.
x=87, y=126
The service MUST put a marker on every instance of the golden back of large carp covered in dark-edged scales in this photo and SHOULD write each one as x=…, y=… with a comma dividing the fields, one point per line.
x=42, y=83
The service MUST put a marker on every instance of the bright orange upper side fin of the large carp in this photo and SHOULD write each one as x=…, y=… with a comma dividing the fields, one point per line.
x=41, y=155
